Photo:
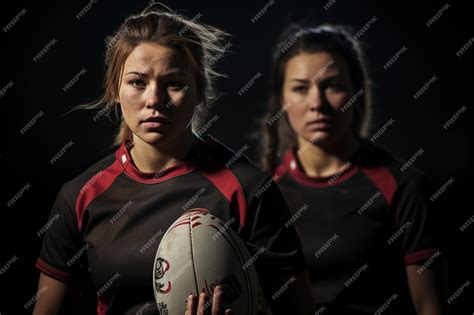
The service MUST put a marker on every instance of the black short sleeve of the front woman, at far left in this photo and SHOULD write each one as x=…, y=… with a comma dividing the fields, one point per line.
x=63, y=252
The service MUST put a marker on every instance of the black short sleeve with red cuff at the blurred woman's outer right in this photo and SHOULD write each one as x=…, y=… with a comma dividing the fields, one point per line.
x=414, y=221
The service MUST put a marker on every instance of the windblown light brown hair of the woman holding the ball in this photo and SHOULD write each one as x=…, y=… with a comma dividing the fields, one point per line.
x=158, y=24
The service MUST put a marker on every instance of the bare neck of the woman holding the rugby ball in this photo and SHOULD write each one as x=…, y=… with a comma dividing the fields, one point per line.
x=149, y=158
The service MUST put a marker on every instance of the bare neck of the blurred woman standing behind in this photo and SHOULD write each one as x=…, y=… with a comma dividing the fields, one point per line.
x=324, y=161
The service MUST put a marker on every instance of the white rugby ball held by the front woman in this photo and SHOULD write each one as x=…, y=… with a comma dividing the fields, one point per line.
x=198, y=251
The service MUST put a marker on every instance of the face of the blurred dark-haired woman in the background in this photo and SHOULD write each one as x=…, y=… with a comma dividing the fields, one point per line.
x=316, y=89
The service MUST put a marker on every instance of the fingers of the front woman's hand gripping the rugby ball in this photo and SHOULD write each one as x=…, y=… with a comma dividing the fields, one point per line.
x=207, y=306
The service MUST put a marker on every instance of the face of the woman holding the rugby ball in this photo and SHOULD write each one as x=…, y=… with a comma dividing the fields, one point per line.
x=157, y=93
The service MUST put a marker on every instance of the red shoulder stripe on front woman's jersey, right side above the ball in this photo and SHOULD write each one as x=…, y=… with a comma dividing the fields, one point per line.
x=229, y=185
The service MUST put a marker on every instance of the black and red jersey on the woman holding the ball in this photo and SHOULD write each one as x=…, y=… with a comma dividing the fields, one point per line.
x=107, y=223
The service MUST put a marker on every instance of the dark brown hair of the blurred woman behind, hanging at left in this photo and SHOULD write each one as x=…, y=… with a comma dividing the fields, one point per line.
x=278, y=136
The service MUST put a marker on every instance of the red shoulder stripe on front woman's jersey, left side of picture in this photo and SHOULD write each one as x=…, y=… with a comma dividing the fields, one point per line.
x=98, y=184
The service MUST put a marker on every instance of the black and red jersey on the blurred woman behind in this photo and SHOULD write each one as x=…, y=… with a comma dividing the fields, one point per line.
x=359, y=229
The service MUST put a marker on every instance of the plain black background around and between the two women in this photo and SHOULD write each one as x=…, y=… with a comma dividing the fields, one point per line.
x=38, y=86
